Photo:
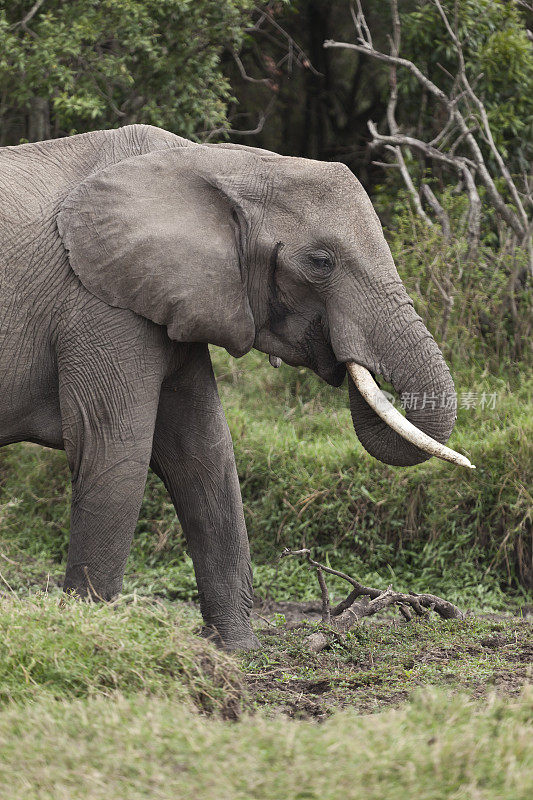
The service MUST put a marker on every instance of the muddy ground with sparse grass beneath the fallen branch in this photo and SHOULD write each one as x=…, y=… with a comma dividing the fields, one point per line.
x=382, y=661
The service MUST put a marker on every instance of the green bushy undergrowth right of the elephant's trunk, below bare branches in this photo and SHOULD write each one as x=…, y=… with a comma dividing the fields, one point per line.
x=478, y=311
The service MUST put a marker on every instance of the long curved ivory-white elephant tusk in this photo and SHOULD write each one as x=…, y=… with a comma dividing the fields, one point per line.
x=392, y=417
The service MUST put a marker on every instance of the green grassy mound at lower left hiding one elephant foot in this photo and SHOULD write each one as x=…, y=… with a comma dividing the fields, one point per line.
x=72, y=649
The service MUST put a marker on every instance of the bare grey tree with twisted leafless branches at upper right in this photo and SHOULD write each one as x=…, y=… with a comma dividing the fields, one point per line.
x=458, y=146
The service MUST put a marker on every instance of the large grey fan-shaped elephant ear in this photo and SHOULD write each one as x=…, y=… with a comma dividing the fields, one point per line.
x=161, y=234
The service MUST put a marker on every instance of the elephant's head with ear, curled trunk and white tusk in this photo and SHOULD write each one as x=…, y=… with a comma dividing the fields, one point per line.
x=241, y=247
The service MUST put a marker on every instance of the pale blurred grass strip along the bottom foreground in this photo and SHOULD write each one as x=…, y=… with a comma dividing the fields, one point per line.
x=435, y=748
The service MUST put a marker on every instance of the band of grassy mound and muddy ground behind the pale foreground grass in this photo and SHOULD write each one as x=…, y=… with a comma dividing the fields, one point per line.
x=66, y=649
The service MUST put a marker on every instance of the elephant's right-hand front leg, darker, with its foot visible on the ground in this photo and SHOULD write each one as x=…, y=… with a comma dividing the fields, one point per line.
x=193, y=455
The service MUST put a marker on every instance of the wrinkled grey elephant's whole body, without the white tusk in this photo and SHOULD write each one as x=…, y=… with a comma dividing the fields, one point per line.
x=122, y=254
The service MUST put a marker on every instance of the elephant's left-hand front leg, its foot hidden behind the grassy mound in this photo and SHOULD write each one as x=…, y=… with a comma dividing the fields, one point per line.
x=108, y=398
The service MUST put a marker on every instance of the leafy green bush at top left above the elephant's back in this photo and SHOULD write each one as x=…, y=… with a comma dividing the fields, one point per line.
x=106, y=63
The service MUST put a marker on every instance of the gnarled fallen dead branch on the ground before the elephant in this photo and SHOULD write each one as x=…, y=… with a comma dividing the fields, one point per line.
x=352, y=609
